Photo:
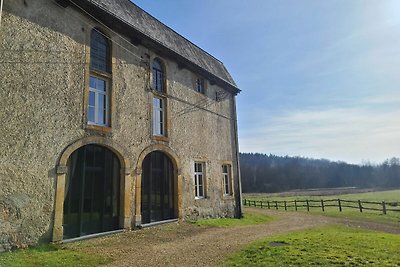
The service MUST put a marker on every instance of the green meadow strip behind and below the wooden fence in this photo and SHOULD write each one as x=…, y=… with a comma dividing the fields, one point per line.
x=351, y=213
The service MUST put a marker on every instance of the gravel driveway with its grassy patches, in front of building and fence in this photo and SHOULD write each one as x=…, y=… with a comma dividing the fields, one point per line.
x=211, y=242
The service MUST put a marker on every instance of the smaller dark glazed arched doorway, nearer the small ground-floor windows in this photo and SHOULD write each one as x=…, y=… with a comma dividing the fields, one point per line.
x=158, y=192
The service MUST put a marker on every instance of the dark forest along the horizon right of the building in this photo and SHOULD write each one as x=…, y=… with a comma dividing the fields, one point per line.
x=263, y=173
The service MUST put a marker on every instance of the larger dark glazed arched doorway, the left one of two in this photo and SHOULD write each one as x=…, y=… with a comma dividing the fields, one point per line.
x=92, y=192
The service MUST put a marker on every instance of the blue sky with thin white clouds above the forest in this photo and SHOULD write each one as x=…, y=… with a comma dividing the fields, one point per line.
x=319, y=79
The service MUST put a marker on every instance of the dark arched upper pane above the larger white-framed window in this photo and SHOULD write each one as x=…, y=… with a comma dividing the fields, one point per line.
x=99, y=52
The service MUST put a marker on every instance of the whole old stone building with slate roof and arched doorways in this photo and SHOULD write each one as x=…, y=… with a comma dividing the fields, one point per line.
x=110, y=121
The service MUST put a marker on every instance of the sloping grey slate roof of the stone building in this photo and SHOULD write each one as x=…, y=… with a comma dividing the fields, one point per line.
x=143, y=22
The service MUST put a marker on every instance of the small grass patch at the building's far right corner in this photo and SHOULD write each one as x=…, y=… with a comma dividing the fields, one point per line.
x=248, y=219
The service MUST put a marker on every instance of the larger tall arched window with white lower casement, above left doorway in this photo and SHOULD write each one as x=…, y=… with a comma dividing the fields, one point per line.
x=98, y=112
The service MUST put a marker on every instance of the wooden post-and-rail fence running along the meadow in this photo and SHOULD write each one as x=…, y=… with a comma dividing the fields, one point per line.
x=383, y=206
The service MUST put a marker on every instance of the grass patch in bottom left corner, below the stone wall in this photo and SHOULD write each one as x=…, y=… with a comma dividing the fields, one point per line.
x=50, y=256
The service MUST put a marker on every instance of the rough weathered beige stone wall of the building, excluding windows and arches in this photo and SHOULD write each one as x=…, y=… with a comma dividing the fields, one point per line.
x=43, y=63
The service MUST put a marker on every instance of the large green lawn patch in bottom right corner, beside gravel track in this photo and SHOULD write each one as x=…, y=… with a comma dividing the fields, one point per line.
x=327, y=246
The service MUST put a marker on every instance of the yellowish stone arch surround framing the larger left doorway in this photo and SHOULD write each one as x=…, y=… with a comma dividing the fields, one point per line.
x=62, y=169
